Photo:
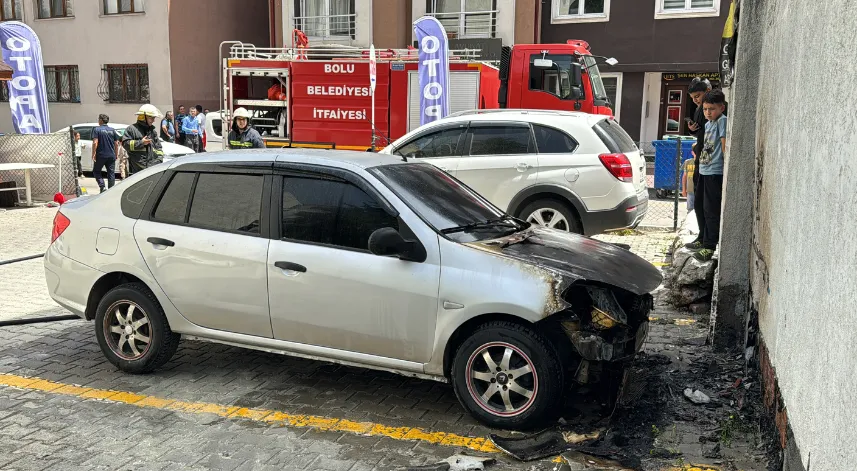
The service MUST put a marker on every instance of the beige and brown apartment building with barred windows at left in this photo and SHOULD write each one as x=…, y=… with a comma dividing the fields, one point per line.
x=111, y=56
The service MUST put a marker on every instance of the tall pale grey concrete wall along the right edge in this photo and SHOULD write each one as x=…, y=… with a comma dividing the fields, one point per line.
x=803, y=277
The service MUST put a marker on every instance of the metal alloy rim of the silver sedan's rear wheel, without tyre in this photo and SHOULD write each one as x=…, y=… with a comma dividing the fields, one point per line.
x=127, y=330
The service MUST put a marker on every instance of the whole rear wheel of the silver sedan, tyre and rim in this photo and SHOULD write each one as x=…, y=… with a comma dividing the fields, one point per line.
x=133, y=331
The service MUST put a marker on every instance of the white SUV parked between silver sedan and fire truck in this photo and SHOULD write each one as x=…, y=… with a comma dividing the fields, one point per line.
x=571, y=171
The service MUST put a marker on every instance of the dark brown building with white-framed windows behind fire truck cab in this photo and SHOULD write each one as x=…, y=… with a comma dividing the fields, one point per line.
x=660, y=44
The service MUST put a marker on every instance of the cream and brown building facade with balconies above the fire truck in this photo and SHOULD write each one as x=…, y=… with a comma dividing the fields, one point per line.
x=482, y=24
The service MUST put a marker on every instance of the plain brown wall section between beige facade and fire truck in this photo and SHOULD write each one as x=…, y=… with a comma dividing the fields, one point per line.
x=197, y=27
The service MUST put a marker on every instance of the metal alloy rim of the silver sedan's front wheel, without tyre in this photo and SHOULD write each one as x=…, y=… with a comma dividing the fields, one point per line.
x=502, y=379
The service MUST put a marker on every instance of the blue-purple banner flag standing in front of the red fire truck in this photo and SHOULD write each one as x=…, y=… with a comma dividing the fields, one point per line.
x=433, y=69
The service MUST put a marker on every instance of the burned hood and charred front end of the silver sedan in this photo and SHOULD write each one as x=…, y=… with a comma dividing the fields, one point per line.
x=599, y=303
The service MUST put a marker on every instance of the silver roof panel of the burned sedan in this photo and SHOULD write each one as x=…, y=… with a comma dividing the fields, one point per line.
x=325, y=157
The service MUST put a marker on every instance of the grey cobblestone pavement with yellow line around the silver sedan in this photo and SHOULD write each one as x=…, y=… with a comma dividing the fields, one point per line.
x=188, y=415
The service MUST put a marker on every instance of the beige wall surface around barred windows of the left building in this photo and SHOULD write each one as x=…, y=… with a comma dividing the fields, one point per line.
x=89, y=40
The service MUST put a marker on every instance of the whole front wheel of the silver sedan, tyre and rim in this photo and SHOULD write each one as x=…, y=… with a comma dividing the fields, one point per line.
x=508, y=376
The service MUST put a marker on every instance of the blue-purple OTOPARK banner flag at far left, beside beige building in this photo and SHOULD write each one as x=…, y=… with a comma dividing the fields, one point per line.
x=27, y=95
